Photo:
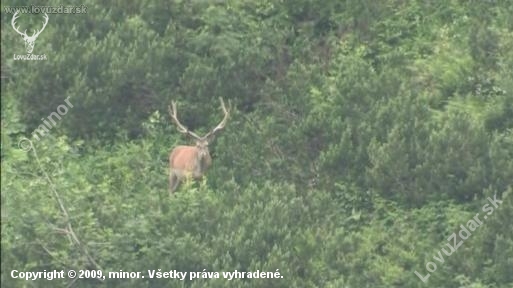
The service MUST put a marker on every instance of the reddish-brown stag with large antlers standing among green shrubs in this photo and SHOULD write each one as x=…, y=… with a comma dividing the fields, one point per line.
x=191, y=161
